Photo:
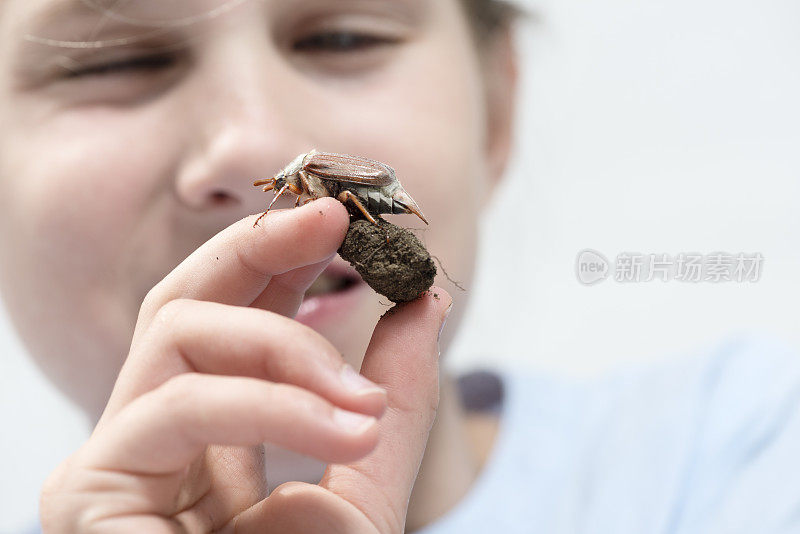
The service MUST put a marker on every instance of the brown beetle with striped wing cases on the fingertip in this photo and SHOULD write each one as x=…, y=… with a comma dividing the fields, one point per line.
x=367, y=185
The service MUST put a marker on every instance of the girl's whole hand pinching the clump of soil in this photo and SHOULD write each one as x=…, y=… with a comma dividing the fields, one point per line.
x=217, y=368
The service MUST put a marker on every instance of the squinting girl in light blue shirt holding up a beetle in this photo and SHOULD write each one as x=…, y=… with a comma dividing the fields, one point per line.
x=131, y=134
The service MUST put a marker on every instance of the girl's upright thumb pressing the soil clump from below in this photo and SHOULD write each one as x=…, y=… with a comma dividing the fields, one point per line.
x=403, y=357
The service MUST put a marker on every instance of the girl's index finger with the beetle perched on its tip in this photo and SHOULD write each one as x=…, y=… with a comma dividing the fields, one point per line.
x=235, y=266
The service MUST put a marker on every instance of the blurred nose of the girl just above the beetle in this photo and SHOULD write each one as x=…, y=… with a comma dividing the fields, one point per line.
x=238, y=132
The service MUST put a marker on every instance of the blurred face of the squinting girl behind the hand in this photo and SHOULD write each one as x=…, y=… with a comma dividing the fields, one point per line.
x=131, y=132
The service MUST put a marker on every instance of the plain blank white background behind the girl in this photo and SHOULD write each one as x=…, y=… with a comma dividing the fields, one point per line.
x=657, y=127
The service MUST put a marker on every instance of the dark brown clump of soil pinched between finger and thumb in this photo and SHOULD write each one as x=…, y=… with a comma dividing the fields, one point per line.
x=389, y=258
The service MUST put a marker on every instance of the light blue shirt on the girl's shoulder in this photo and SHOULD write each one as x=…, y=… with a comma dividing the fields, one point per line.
x=709, y=444
